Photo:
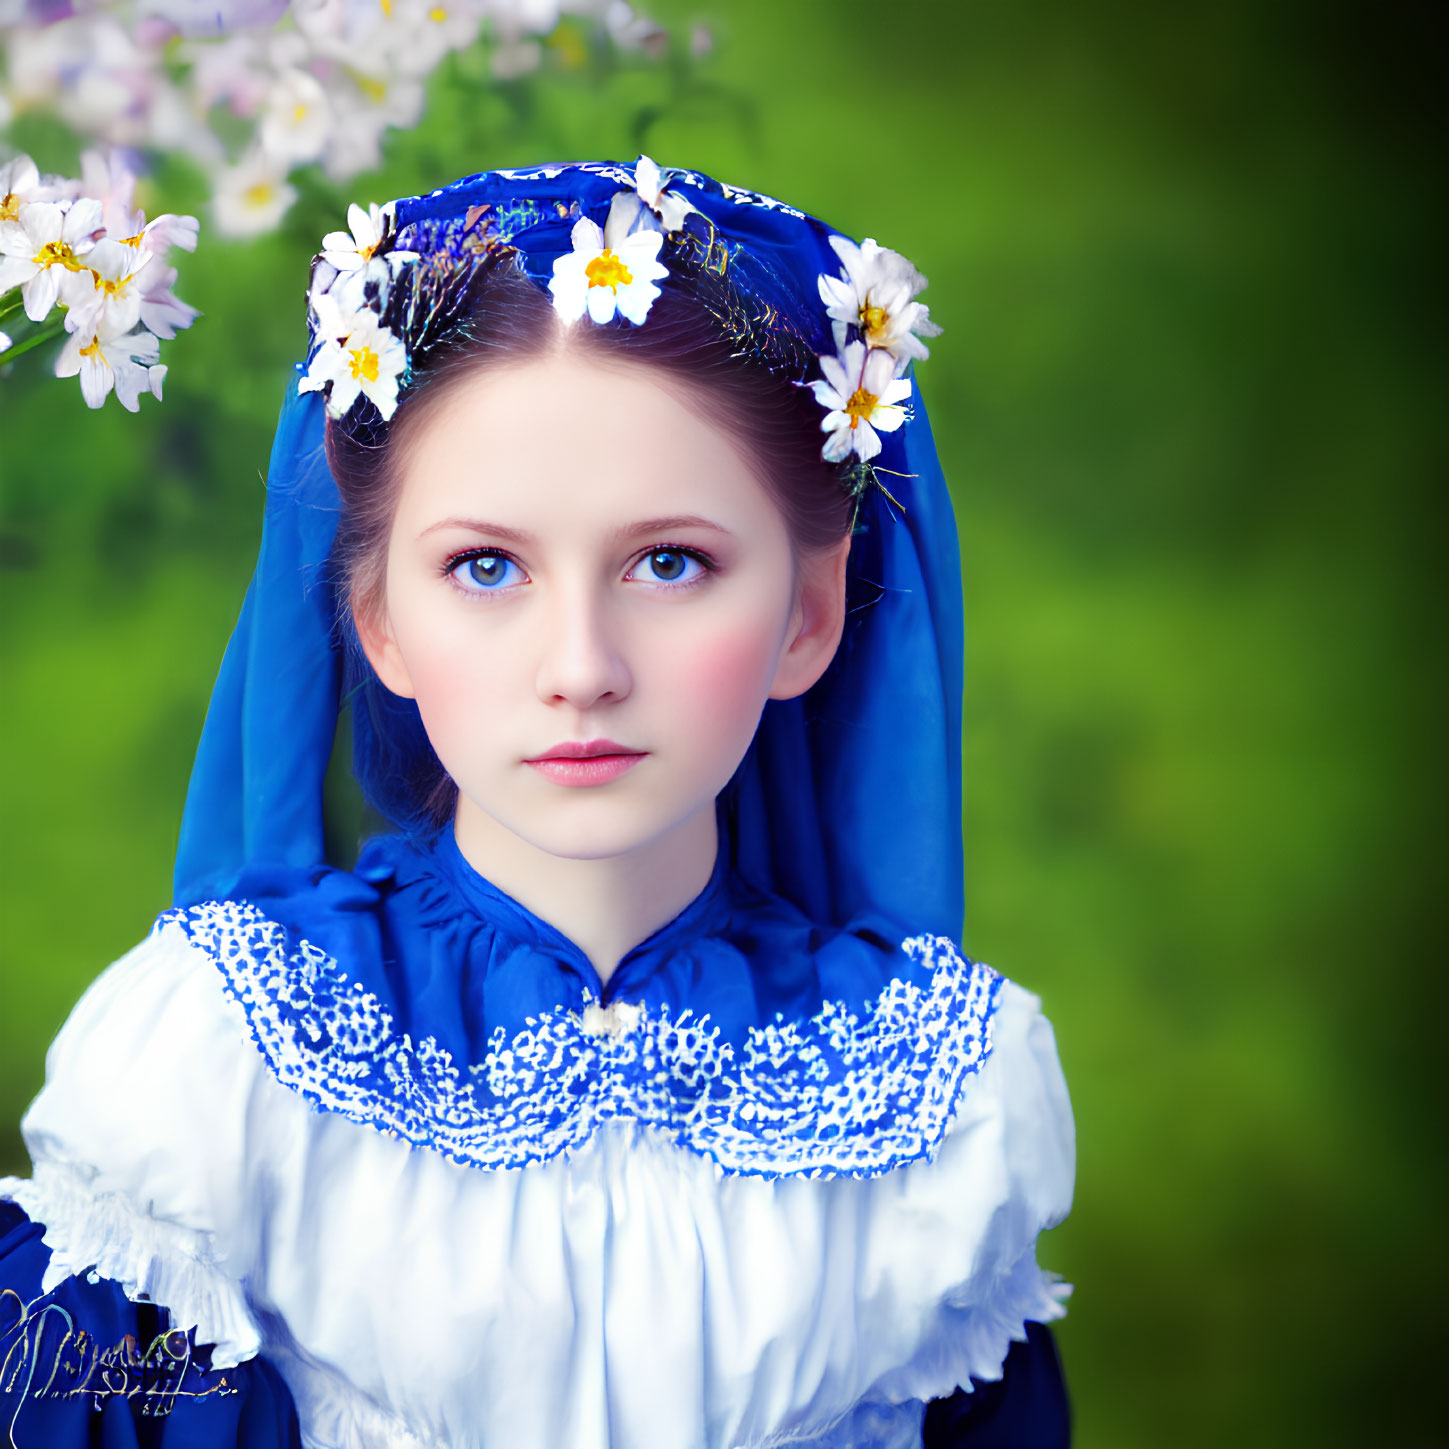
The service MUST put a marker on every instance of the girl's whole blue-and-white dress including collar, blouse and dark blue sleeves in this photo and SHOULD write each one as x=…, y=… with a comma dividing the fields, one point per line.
x=380, y=1022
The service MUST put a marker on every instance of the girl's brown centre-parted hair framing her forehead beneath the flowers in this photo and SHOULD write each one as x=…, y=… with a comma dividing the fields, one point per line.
x=774, y=422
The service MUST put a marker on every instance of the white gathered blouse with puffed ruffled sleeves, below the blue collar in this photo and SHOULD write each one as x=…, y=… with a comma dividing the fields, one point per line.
x=624, y=1295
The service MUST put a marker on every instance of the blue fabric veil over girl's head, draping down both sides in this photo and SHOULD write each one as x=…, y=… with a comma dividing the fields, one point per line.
x=850, y=798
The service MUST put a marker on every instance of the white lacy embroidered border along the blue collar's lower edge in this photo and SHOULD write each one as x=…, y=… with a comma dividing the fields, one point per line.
x=841, y=1093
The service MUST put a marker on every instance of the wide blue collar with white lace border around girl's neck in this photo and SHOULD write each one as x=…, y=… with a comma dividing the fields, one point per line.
x=417, y=998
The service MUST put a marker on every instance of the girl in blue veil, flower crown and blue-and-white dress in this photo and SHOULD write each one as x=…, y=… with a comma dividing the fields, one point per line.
x=628, y=1089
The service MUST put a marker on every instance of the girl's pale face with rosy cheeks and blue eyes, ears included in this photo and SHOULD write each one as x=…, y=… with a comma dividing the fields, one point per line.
x=580, y=560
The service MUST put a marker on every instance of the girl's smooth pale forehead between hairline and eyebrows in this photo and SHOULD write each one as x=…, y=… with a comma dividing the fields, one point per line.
x=567, y=443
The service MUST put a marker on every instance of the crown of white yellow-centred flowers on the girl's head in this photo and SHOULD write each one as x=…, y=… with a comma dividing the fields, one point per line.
x=376, y=306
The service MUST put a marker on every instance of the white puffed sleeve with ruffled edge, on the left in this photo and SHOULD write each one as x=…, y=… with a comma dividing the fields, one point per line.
x=140, y=1143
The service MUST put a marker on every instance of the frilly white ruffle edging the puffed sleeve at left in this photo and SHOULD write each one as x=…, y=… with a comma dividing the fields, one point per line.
x=154, y=1261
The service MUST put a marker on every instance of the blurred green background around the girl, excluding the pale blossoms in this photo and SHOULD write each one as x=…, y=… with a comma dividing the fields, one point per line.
x=1190, y=401
